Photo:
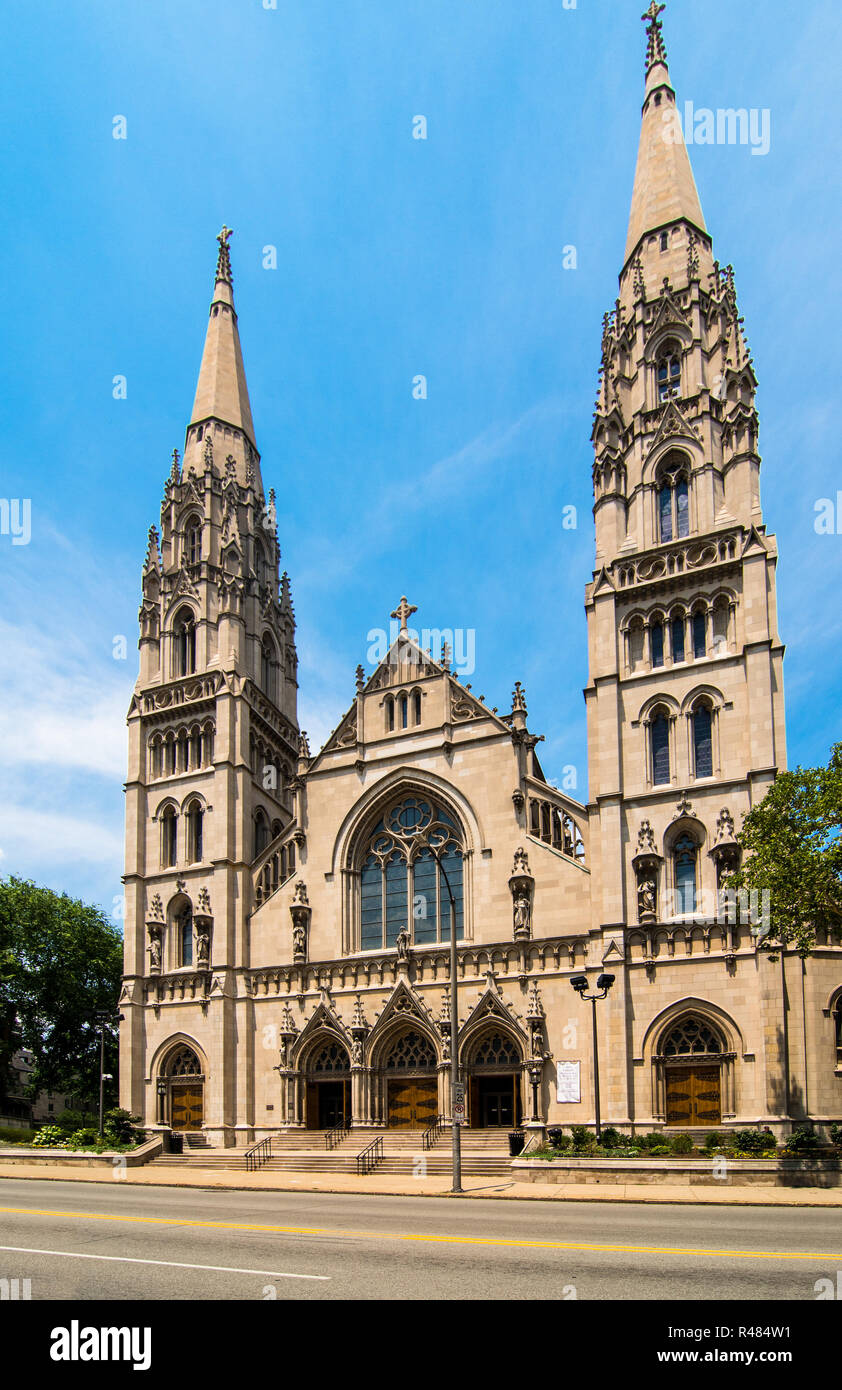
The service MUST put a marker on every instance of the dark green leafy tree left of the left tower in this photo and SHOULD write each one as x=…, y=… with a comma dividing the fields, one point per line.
x=60, y=967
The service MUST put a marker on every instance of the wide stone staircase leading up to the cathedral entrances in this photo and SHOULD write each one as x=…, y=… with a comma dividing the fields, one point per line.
x=484, y=1154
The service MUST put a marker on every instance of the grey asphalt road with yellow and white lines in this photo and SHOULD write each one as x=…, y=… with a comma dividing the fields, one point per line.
x=102, y=1241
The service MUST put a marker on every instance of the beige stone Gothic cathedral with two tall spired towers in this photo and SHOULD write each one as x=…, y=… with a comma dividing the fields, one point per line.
x=290, y=914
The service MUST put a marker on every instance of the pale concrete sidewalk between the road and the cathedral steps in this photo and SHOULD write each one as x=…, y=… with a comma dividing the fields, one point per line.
x=384, y=1186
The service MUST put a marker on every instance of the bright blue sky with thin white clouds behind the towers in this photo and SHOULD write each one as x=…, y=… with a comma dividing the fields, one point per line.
x=395, y=258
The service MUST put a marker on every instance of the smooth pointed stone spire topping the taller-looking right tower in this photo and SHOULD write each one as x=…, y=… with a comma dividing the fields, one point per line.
x=665, y=188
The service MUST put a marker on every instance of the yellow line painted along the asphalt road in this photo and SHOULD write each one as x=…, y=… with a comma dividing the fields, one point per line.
x=440, y=1241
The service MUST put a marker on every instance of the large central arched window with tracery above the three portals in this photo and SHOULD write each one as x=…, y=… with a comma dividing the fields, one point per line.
x=402, y=883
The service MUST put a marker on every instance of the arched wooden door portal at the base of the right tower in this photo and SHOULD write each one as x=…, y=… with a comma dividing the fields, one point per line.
x=693, y=1060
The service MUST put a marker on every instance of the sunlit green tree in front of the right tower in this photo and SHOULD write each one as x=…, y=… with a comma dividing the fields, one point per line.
x=793, y=850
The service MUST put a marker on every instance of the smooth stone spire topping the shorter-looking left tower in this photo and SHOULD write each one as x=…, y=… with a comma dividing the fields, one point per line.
x=222, y=393
